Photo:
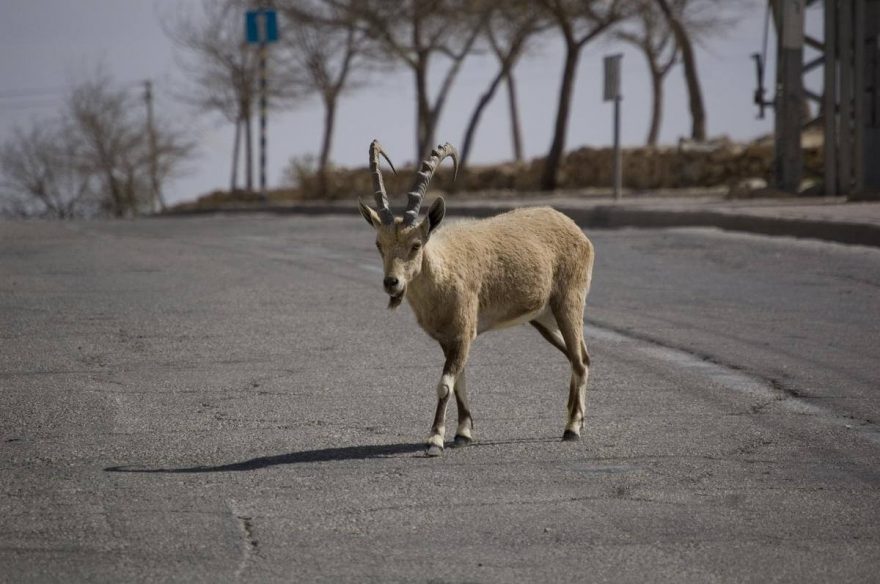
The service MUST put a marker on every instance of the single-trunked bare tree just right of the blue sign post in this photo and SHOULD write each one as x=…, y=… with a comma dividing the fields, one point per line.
x=324, y=47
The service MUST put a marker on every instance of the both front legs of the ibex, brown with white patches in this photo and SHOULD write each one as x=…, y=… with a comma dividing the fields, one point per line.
x=453, y=374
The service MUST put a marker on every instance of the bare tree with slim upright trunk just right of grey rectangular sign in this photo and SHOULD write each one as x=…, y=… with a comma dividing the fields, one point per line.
x=650, y=33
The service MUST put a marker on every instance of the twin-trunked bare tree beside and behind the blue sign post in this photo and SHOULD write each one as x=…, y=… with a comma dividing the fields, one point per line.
x=223, y=71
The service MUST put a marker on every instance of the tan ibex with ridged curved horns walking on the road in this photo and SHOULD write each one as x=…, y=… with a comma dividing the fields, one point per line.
x=528, y=265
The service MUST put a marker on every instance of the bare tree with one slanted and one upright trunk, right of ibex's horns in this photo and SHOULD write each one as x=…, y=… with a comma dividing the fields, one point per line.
x=508, y=27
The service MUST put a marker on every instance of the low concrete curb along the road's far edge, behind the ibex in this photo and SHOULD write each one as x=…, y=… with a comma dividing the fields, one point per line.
x=617, y=217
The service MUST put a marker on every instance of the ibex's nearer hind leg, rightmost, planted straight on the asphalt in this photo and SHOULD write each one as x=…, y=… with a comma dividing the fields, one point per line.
x=569, y=319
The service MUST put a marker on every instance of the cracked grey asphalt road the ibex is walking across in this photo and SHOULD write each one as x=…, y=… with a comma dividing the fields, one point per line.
x=227, y=399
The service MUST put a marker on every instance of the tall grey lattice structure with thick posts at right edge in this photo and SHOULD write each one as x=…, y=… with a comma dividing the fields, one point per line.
x=850, y=56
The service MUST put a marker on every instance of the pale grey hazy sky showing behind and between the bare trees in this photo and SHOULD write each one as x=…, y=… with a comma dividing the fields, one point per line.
x=45, y=45
